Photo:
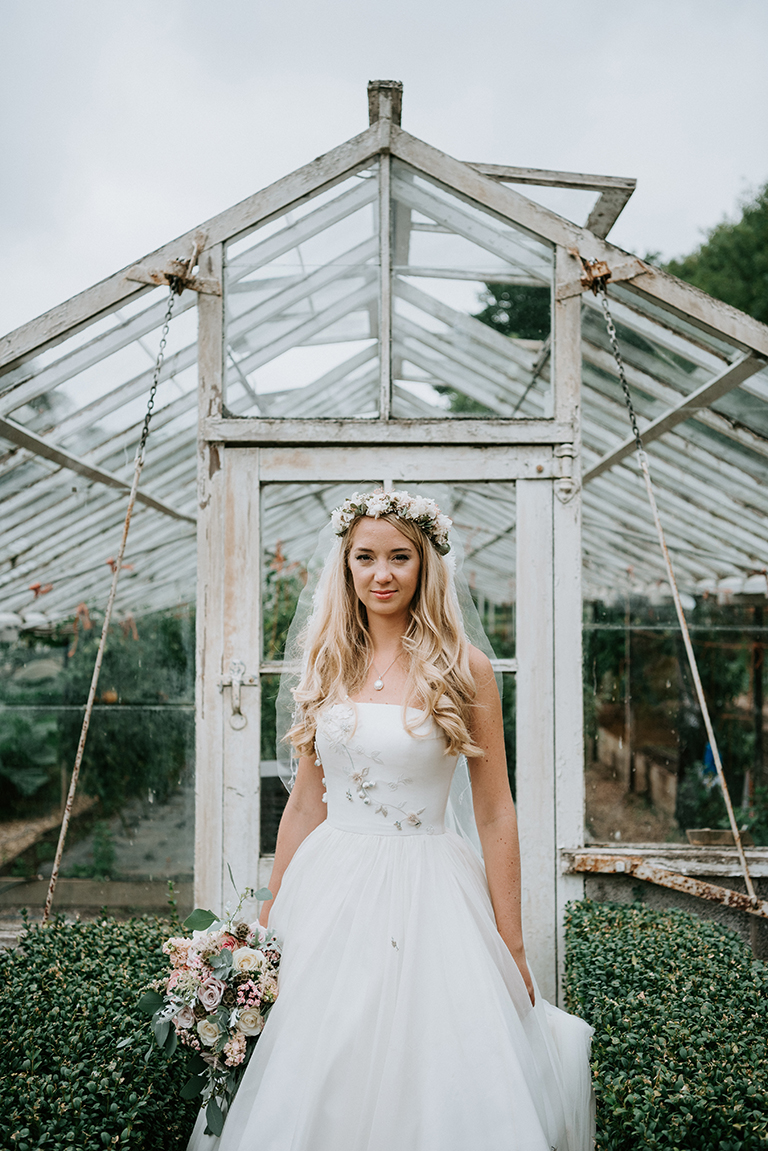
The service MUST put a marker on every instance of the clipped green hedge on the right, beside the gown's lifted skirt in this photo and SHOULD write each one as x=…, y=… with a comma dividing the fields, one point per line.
x=681, y=1048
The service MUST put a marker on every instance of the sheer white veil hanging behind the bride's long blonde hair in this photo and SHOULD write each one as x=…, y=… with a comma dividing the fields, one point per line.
x=460, y=814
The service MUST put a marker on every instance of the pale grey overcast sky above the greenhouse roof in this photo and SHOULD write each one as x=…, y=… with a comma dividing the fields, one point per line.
x=125, y=124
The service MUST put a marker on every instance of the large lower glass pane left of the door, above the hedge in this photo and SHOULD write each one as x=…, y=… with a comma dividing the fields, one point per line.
x=134, y=810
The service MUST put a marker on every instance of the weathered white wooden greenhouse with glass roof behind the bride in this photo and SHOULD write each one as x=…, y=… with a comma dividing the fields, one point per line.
x=385, y=316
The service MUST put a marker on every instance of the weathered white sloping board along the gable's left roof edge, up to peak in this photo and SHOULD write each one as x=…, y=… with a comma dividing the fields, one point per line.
x=77, y=314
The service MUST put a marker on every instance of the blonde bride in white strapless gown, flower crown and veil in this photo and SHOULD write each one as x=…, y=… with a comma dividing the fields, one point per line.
x=408, y=1017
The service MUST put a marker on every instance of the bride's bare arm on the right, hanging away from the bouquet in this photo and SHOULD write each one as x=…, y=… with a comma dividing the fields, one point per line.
x=495, y=813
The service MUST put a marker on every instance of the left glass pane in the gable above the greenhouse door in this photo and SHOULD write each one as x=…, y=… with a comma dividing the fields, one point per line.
x=302, y=306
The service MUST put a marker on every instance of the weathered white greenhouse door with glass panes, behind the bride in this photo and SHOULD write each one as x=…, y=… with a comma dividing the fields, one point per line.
x=267, y=508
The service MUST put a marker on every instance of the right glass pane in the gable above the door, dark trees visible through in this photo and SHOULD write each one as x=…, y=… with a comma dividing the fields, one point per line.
x=472, y=312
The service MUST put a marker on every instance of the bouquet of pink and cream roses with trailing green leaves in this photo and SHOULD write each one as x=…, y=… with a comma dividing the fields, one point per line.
x=215, y=1002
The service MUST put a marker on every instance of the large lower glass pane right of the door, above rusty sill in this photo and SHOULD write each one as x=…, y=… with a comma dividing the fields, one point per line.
x=650, y=772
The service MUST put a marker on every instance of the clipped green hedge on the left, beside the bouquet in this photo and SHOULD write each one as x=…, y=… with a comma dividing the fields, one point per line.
x=69, y=1000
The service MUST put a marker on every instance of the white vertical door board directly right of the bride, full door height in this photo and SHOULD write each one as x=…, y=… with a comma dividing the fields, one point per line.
x=536, y=741
